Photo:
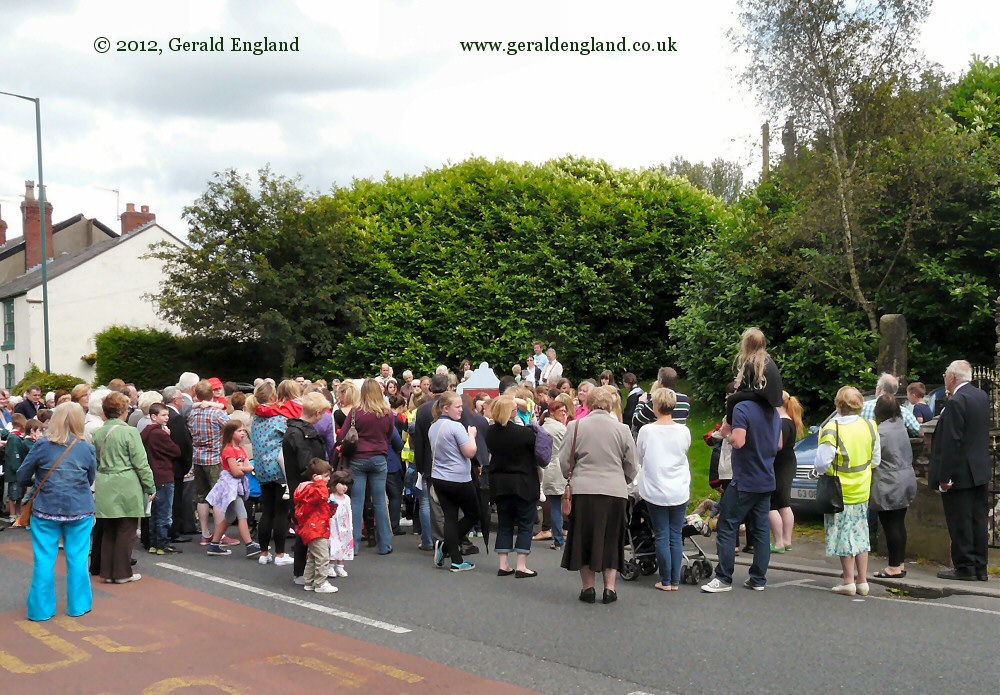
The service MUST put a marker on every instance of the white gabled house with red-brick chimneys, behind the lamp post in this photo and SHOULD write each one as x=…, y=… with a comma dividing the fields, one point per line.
x=96, y=278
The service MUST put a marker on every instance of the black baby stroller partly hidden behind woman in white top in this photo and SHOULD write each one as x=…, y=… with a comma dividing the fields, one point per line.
x=640, y=548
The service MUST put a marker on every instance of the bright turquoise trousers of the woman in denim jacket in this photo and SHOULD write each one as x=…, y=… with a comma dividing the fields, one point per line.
x=45, y=543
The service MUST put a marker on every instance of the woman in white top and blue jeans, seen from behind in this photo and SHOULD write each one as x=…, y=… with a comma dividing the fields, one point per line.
x=665, y=484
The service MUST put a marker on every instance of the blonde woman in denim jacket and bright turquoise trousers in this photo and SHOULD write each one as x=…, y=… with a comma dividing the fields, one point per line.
x=63, y=507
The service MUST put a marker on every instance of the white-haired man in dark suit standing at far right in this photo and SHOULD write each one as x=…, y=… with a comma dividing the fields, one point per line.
x=960, y=469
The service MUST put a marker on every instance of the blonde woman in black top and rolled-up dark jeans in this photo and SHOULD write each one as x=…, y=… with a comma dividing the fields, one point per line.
x=514, y=485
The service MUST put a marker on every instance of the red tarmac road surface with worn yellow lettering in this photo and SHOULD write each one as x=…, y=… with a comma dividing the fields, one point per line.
x=155, y=637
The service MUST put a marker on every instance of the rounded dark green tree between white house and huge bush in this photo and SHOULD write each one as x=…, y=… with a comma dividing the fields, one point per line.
x=259, y=268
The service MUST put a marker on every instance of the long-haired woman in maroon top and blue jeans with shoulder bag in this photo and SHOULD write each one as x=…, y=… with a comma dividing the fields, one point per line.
x=374, y=423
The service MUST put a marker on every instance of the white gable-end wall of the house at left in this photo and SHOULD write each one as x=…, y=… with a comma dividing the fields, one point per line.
x=106, y=290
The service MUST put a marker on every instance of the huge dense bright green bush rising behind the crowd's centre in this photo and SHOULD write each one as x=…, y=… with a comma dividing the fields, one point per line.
x=478, y=259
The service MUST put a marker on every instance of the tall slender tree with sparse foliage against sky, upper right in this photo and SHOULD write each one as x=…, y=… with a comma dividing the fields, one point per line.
x=829, y=63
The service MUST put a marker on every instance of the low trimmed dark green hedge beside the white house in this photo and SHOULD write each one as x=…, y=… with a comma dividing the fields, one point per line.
x=154, y=359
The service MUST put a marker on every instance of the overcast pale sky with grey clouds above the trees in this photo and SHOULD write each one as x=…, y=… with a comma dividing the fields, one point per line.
x=376, y=87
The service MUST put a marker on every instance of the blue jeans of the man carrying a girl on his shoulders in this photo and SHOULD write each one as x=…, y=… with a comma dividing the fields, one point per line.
x=754, y=508
